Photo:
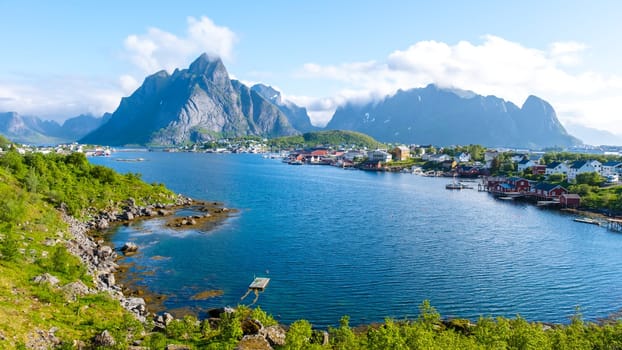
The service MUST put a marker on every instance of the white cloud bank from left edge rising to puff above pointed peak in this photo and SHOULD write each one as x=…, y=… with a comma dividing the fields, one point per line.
x=57, y=98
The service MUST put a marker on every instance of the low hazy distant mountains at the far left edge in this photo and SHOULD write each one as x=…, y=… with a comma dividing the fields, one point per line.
x=33, y=130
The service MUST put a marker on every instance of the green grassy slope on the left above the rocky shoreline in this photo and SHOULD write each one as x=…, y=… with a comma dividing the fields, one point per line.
x=33, y=237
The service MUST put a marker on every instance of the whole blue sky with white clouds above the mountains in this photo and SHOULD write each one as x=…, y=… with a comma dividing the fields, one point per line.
x=63, y=58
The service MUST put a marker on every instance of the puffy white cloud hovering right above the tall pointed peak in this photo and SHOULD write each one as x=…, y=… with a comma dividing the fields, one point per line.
x=158, y=49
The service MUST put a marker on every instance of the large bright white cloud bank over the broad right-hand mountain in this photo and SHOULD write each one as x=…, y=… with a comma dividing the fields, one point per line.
x=493, y=67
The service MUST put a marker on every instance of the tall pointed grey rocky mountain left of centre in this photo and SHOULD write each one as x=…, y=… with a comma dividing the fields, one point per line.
x=195, y=104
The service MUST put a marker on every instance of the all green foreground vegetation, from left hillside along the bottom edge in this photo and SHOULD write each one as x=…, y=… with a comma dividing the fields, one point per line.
x=44, y=315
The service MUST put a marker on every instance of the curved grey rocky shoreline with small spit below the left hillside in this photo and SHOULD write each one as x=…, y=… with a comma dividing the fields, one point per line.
x=101, y=259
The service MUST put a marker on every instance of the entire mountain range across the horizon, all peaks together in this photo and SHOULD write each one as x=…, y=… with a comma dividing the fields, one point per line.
x=202, y=103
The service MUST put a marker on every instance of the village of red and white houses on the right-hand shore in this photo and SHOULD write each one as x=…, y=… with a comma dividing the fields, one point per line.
x=536, y=177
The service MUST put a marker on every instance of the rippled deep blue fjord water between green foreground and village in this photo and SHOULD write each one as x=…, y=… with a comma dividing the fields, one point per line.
x=367, y=244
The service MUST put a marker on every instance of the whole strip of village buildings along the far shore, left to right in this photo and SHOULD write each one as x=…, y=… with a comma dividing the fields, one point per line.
x=566, y=180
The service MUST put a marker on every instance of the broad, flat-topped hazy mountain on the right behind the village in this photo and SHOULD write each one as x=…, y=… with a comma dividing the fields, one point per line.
x=439, y=116
